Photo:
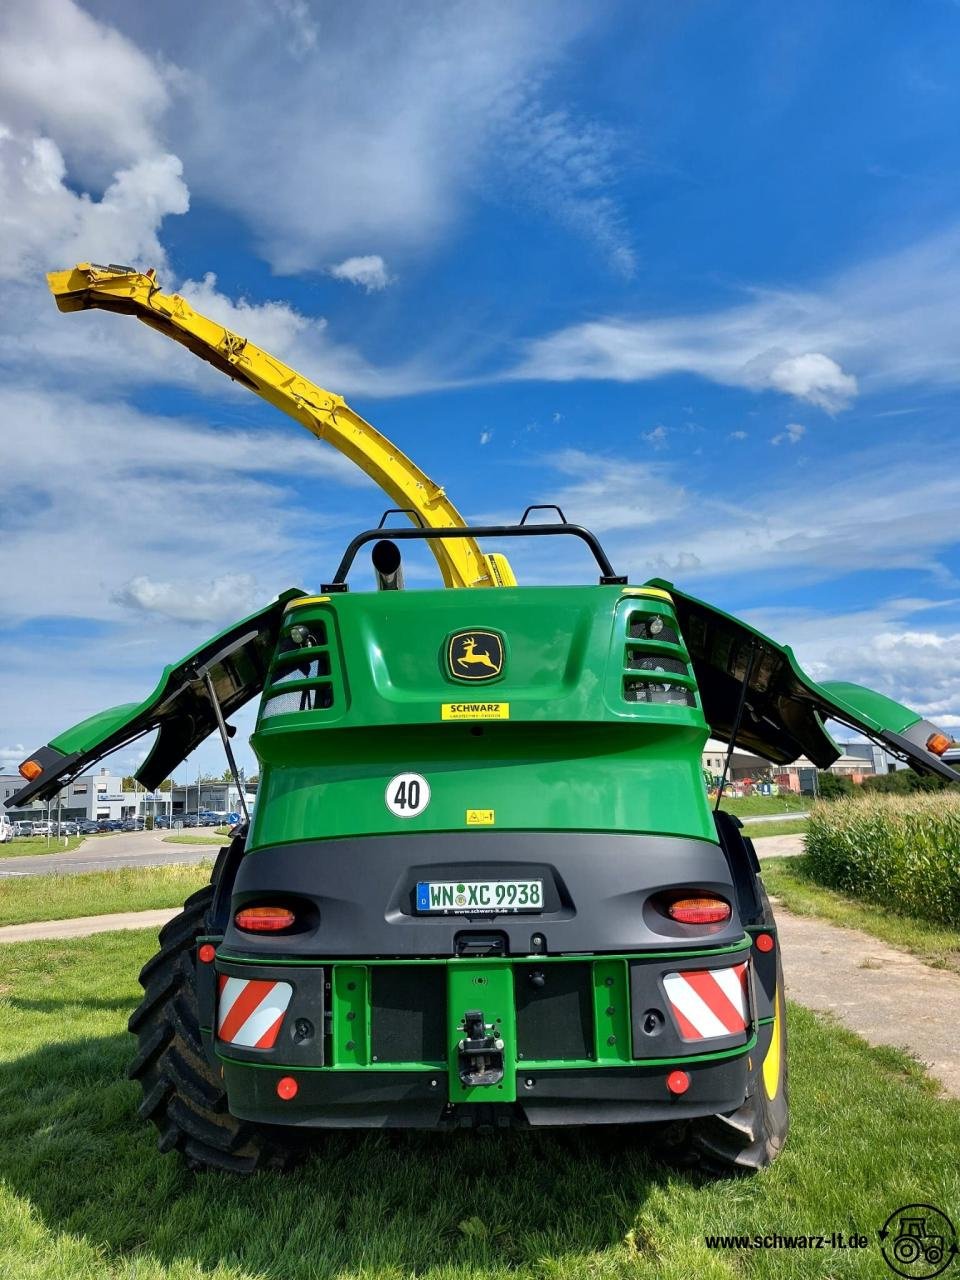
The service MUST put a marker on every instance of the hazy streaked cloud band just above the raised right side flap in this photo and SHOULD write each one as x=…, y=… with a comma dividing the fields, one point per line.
x=902, y=515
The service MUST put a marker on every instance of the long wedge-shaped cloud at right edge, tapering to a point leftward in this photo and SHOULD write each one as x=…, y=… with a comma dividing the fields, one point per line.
x=889, y=322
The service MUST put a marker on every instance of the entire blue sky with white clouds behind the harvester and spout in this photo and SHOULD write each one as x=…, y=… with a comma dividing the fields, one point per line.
x=691, y=271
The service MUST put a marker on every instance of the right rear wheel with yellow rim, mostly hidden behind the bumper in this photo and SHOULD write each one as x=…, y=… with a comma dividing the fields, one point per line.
x=752, y=1137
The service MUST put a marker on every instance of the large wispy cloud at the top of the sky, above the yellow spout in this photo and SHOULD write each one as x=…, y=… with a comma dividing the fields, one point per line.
x=381, y=130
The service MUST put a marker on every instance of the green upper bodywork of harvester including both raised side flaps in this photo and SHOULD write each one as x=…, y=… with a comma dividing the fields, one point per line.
x=577, y=749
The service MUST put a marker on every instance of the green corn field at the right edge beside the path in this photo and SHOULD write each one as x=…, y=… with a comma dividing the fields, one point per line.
x=902, y=852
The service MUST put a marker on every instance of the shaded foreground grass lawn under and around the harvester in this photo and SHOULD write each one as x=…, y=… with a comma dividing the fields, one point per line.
x=85, y=1195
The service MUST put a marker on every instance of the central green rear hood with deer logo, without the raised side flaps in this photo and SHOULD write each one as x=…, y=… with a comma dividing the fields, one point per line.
x=574, y=753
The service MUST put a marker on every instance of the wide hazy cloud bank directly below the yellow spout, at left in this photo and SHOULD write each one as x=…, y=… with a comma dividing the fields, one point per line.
x=102, y=495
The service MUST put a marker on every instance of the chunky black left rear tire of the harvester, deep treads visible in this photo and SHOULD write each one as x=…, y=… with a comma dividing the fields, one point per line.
x=184, y=1096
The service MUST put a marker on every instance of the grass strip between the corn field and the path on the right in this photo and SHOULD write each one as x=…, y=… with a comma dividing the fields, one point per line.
x=938, y=945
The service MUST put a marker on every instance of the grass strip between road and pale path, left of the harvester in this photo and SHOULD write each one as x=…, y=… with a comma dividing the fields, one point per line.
x=129, y=889
